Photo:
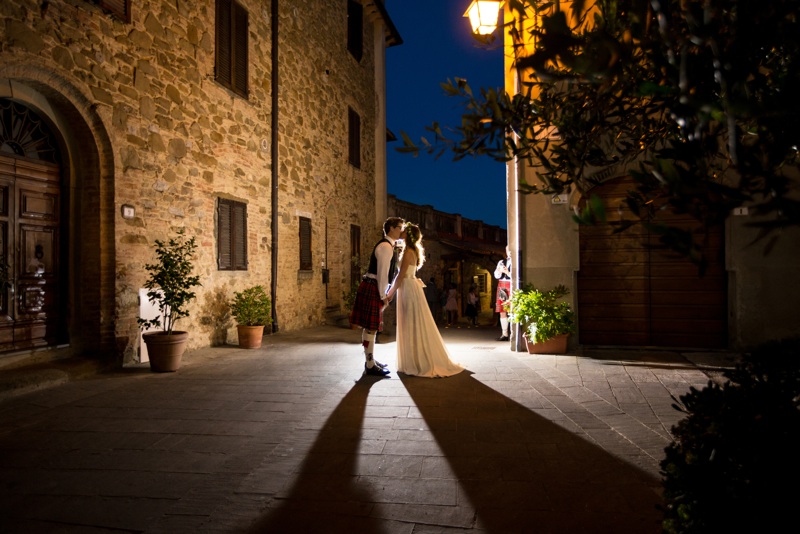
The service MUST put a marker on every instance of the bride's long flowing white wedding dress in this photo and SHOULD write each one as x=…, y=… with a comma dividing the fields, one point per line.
x=420, y=348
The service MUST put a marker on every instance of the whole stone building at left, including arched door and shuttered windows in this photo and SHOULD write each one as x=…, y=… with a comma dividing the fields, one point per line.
x=256, y=126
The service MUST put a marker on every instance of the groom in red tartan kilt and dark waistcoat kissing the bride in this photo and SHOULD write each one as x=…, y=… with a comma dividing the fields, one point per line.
x=371, y=295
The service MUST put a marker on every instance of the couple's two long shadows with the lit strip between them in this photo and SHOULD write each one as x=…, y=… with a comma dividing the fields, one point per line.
x=455, y=452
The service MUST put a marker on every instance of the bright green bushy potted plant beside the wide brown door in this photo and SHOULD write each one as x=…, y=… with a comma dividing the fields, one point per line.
x=546, y=320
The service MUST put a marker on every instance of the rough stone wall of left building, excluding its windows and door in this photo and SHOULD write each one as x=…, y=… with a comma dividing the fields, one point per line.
x=178, y=141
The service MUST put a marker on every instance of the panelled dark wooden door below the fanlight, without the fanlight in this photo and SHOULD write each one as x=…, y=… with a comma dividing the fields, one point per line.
x=29, y=230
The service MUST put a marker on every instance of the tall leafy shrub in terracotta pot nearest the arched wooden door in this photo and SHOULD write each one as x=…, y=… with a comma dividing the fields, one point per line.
x=170, y=289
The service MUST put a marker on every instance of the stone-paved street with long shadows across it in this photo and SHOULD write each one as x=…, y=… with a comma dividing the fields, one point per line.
x=291, y=438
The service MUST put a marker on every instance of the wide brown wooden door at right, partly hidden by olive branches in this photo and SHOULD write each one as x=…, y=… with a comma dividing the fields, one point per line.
x=632, y=291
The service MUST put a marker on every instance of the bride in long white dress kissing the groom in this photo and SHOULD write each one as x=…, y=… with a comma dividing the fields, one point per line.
x=420, y=349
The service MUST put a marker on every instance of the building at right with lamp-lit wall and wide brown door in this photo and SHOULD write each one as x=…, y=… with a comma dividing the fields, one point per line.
x=629, y=292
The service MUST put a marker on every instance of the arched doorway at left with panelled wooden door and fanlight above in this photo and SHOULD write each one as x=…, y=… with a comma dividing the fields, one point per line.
x=32, y=270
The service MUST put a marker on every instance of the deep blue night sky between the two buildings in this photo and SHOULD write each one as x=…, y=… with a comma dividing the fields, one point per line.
x=437, y=45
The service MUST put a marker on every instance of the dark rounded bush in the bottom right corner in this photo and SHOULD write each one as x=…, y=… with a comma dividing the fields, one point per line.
x=734, y=465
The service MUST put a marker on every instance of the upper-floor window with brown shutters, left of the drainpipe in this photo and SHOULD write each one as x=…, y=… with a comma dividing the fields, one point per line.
x=231, y=46
